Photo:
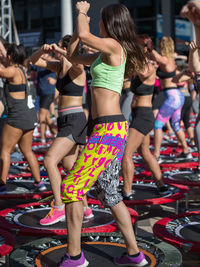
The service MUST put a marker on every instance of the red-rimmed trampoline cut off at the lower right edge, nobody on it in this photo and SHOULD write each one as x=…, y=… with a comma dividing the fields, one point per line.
x=182, y=230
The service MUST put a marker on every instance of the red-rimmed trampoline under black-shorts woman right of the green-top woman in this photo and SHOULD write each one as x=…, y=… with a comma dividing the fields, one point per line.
x=146, y=193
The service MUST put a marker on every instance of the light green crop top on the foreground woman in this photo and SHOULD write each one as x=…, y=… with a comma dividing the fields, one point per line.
x=107, y=76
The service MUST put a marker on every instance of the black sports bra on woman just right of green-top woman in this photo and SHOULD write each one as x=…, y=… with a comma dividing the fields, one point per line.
x=139, y=88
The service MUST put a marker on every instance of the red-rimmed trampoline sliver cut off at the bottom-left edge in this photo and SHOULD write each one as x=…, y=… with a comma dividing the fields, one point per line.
x=7, y=242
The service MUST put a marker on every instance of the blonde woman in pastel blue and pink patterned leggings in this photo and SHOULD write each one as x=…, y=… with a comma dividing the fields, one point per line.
x=174, y=99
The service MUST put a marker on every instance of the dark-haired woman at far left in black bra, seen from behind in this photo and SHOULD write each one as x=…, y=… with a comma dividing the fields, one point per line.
x=21, y=116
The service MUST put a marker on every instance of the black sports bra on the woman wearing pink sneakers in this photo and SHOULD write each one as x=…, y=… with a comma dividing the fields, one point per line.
x=67, y=87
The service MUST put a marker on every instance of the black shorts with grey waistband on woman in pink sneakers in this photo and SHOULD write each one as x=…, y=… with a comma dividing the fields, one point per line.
x=73, y=126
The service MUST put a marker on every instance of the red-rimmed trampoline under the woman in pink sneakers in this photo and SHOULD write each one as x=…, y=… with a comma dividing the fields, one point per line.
x=25, y=220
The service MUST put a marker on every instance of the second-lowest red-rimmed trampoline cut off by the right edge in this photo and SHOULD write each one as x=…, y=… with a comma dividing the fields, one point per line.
x=185, y=177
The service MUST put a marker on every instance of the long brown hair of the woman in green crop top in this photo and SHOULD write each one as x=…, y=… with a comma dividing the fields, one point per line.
x=120, y=26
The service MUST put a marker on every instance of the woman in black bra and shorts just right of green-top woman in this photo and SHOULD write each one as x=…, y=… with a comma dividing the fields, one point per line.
x=141, y=125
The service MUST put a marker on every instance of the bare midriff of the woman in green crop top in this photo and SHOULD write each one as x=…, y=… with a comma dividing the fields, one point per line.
x=105, y=102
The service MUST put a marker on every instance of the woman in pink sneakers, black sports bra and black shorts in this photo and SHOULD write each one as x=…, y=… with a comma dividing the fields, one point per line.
x=71, y=121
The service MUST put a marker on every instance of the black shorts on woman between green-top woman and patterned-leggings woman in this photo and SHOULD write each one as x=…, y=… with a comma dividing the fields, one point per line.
x=142, y=119
